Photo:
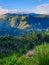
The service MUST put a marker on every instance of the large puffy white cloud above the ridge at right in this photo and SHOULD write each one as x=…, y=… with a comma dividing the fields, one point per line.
x=43, y=9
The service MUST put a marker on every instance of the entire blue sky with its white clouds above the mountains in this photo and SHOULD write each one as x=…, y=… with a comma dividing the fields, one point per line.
x=27, y=6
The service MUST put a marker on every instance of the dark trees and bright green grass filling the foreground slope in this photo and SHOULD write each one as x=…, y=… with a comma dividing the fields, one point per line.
x=29, y=49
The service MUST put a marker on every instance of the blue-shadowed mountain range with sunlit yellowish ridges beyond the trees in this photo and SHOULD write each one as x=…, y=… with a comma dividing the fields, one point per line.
x=17, y=24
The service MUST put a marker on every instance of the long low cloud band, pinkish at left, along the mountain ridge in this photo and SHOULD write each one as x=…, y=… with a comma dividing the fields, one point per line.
x=4, y=11
